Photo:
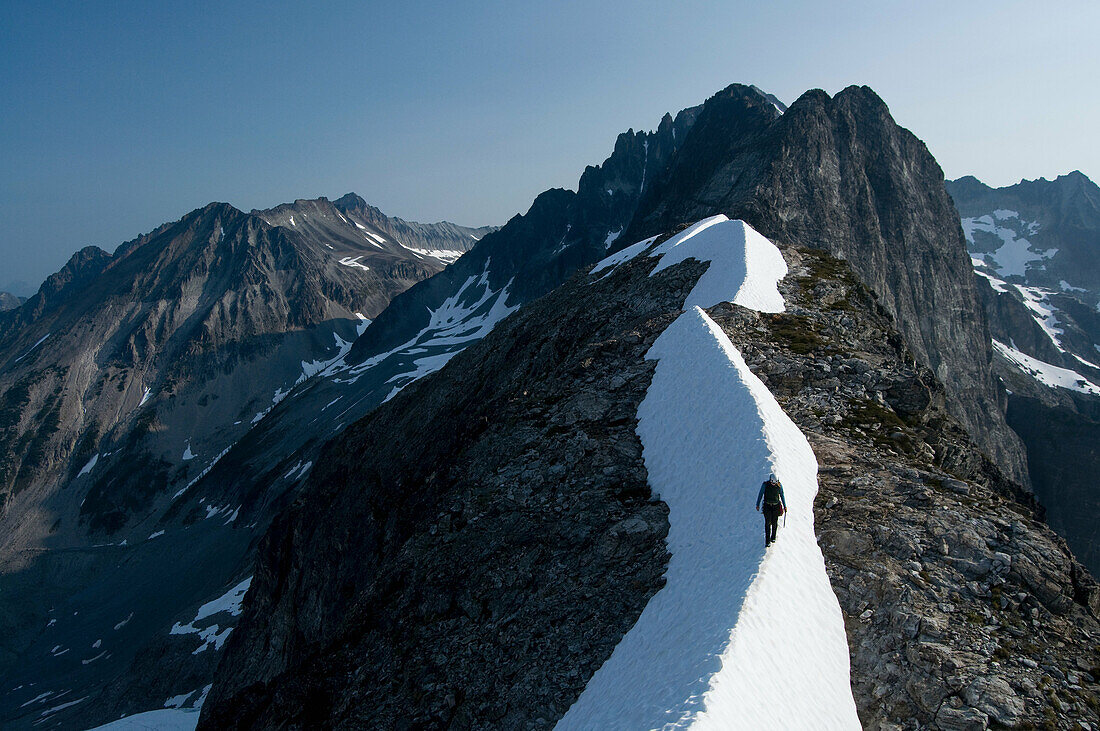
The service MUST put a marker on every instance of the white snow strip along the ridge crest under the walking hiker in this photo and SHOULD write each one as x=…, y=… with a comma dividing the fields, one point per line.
x=739, y=638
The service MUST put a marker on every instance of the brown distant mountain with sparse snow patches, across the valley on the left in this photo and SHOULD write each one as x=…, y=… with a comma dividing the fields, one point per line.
x=125, y=378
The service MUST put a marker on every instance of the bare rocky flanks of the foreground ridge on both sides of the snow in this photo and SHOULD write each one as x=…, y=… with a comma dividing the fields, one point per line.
x=452, y=583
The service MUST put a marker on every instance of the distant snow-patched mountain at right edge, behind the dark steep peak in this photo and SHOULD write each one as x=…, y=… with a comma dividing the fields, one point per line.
x=1036, y=249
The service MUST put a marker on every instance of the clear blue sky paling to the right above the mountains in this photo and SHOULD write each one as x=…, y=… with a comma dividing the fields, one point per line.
x=118, y=117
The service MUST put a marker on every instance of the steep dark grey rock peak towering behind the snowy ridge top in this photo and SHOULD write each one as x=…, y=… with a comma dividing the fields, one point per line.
x=839, y=174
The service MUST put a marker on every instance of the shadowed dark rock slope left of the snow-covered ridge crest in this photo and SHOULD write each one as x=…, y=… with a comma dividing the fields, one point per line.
x=520, y=545
